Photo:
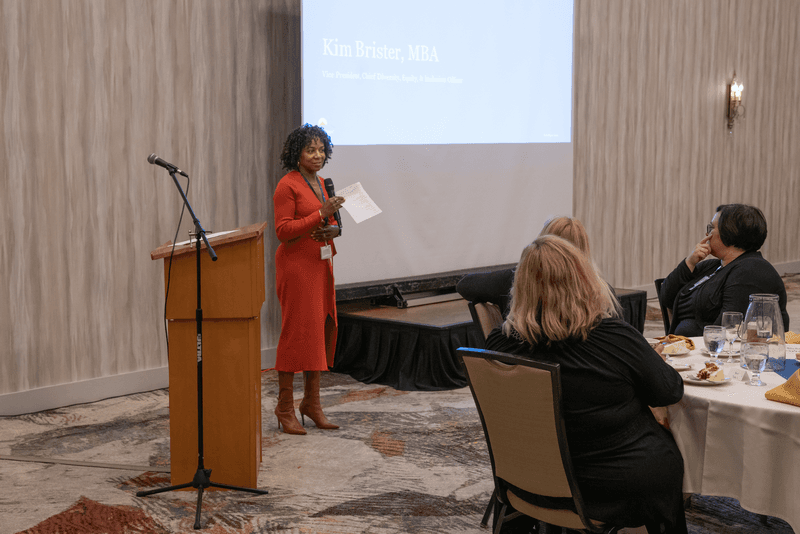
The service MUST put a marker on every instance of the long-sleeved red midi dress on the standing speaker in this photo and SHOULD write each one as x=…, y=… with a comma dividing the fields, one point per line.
x=304, y=281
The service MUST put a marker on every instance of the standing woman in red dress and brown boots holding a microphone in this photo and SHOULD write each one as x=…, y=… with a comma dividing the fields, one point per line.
x=304, y=275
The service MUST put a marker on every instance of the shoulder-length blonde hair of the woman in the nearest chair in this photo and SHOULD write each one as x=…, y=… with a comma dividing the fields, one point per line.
x=557, y=293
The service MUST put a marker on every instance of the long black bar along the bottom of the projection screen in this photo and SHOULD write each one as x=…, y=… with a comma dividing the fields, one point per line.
x=411, y=284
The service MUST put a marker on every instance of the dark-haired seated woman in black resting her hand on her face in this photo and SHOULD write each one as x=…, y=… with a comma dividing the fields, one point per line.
x=700, y=290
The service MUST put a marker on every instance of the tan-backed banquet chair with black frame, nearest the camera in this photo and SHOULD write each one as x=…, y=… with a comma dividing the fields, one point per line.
x=519, y=402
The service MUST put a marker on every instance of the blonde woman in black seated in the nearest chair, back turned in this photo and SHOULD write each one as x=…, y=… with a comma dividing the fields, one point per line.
x=629, y=468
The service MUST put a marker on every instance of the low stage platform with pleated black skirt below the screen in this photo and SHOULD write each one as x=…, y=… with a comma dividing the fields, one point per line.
x=414, y=348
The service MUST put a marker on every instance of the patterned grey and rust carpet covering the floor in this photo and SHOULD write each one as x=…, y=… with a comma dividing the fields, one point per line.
x=410, y=462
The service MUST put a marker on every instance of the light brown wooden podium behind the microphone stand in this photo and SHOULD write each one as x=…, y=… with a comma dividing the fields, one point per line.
x=232, y=293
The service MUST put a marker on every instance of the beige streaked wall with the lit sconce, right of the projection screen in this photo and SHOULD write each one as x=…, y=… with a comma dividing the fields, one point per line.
x=653, y=157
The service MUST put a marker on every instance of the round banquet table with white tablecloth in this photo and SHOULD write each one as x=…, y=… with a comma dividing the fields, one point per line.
x=736, y=443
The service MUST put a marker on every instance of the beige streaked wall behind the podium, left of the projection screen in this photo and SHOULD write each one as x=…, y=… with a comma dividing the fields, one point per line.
x=88, y=89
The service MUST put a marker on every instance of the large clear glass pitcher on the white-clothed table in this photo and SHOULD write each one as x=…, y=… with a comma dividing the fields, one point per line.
x=763, y=323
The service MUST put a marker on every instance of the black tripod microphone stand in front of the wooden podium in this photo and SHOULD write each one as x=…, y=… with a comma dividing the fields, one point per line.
x=202, y=477
